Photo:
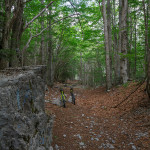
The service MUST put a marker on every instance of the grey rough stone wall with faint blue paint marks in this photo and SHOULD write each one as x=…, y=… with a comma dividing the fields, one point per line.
x=23, y=122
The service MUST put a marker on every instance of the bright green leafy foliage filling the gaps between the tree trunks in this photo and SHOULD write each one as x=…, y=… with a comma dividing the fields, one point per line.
x=80, y=38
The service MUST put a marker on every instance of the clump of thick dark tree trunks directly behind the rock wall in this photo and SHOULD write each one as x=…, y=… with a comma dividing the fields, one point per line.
x=13, y=27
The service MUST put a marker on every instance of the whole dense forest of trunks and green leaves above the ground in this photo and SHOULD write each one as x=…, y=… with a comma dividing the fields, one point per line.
x=99, y=42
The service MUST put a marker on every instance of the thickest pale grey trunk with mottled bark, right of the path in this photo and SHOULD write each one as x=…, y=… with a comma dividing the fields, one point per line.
x=124, y=39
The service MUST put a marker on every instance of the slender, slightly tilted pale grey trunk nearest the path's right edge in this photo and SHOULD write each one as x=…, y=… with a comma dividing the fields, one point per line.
x=108, y=79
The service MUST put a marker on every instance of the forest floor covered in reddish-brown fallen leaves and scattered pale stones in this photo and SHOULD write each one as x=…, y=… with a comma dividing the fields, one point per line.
x=94, y=124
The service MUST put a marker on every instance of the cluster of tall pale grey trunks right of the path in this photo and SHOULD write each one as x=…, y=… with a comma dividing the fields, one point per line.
x=122, y=45
